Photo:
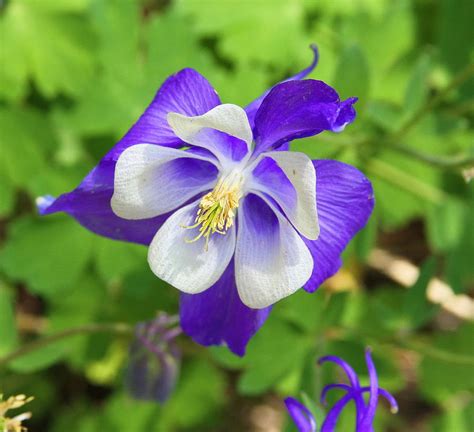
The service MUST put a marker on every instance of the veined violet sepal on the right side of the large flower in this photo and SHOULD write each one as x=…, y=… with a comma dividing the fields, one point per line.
x=345, y=200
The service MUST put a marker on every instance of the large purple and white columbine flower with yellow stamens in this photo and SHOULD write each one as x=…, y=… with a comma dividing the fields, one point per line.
x=232, y=219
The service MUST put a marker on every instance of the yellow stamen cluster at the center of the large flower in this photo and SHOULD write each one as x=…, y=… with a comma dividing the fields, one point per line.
x=217, y=208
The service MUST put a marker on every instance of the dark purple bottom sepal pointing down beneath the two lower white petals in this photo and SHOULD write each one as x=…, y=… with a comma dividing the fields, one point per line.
x=217, y=315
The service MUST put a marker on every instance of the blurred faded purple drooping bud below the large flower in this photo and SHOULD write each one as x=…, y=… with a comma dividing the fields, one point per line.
x=155, y=359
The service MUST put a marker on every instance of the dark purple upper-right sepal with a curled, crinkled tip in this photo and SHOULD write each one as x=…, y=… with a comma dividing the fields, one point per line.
x=298, y=109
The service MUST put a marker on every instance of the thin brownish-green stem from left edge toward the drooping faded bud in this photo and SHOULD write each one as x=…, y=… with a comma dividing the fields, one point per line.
x=117, y=328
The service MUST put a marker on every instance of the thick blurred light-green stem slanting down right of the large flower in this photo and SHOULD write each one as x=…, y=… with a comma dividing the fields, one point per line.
x=405, y=181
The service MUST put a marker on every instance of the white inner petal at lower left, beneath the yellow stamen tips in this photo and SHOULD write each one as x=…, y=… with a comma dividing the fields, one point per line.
x=188, y=266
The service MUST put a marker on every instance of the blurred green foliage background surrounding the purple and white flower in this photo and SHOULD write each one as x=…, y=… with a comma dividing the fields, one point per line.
x=75, y=74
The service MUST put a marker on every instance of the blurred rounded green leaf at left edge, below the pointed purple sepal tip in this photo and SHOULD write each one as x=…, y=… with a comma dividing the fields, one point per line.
x=49, y=254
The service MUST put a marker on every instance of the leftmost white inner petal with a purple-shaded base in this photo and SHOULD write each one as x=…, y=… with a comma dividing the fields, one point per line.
x=150, y=180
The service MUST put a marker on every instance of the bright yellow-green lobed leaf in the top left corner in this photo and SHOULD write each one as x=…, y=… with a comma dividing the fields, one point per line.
x=52, y=48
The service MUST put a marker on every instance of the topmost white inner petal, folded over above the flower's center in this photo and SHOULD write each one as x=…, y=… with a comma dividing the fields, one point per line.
x=227, y=118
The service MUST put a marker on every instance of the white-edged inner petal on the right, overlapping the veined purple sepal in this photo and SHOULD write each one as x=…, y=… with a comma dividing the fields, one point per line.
x=301, y=207
